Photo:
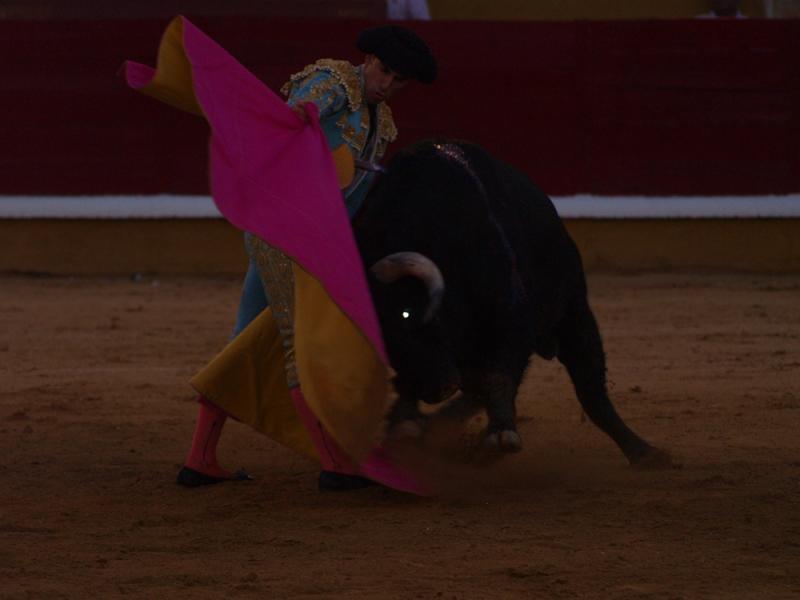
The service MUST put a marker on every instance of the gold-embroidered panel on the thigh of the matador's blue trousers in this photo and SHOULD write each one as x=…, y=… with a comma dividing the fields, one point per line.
x=277, y=278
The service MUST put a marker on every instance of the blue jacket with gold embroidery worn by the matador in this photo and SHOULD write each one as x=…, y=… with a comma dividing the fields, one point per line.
x=336, y=87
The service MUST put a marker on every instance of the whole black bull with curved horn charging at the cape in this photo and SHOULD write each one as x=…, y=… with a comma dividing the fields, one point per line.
x=506, y=281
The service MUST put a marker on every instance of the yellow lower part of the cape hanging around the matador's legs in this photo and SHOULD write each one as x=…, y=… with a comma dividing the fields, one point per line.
x=344, y=381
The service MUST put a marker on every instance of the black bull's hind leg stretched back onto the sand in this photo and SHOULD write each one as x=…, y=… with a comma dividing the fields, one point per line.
x=581, y=352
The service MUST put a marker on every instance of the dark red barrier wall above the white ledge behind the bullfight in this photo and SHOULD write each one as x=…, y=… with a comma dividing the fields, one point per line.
x=653, y=107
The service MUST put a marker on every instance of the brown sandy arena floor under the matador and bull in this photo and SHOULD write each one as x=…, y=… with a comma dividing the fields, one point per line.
x=96, y=415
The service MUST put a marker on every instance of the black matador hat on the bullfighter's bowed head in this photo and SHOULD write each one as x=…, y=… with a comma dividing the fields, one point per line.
x=401, y=50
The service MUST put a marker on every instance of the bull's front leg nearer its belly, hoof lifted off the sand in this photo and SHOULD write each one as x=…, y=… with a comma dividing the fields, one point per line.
x=497, y=391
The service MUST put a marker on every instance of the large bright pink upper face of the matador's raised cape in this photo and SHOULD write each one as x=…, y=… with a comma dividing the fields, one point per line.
x=273, y=175
